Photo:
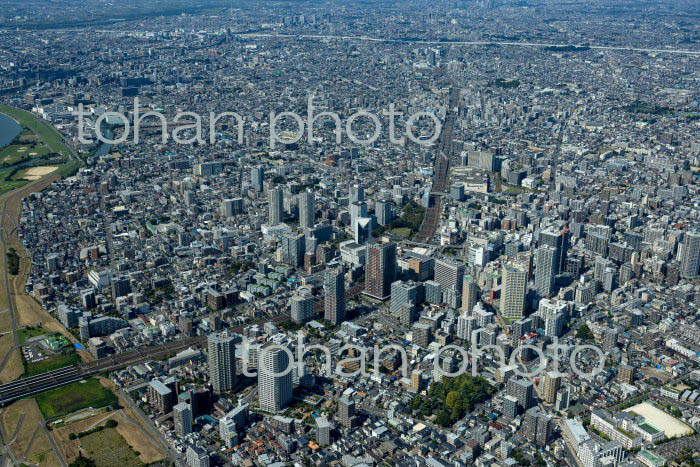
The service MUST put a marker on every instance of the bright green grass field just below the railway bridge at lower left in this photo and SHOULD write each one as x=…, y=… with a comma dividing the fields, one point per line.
x=67, y=399
